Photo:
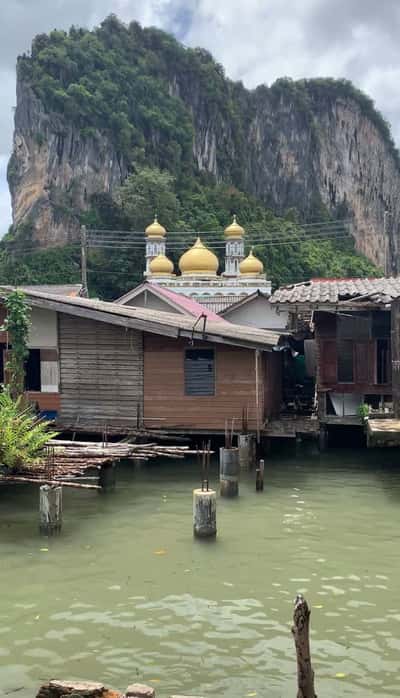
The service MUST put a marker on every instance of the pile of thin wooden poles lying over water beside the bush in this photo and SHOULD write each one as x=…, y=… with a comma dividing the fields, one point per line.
x=69, y=460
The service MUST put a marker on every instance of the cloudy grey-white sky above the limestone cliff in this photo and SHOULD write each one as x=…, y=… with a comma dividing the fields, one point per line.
x=257, y=41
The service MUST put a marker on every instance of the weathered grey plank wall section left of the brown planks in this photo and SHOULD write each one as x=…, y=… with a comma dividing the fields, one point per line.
x=101, y=374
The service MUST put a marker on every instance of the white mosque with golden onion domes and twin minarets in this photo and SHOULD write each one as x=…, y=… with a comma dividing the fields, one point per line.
x=198, y=266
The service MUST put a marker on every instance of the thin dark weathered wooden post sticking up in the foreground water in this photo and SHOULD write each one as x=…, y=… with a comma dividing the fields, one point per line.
x=301, y=634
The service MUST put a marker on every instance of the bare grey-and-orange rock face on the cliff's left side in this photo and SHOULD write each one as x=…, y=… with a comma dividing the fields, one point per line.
x=54, y=170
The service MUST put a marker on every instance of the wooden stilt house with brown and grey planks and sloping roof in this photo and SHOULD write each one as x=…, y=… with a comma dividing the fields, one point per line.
x=96, y=365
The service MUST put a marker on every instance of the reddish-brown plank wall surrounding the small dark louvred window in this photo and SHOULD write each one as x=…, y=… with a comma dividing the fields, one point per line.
x=165, y=404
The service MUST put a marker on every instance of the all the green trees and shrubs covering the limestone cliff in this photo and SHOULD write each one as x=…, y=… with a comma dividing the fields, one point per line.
x=121, y=80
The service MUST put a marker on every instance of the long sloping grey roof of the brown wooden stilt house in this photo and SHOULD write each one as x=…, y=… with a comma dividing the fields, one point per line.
x=156, y=321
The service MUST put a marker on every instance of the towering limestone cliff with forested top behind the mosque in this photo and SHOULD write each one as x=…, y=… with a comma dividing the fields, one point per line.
x=303, y=145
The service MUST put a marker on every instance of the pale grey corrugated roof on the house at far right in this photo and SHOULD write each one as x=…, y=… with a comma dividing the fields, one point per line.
x=331, y=291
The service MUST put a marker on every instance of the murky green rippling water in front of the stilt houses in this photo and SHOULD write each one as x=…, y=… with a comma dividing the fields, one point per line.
x=126, y=594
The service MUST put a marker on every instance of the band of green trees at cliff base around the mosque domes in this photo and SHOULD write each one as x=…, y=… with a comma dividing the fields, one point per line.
x=286, y=254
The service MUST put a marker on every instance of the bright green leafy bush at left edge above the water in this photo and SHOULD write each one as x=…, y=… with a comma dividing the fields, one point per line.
x=23, y=436
